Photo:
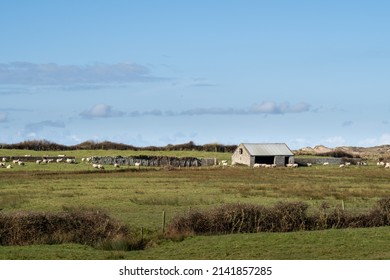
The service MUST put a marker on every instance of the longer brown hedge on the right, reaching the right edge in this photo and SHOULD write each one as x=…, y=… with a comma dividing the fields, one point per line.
x=283, y=217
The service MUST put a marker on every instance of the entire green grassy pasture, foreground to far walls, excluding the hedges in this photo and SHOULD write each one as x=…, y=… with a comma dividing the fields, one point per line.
x=138, y=197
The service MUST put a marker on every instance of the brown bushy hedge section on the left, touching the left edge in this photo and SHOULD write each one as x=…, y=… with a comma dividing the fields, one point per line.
x=90, y=227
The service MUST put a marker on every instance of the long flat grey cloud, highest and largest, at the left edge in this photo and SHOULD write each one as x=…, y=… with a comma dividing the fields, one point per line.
x=51, y=74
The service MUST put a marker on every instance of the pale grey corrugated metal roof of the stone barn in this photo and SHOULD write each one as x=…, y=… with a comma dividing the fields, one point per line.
x=268, y=149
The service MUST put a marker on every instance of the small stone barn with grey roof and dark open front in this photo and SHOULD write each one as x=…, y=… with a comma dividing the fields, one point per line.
x=262, y=153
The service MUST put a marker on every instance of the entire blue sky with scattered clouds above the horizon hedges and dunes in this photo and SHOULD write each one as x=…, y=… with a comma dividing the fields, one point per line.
x=144, y=73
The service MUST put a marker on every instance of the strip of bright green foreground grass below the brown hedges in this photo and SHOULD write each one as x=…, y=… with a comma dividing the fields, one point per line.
x=345, y=244
